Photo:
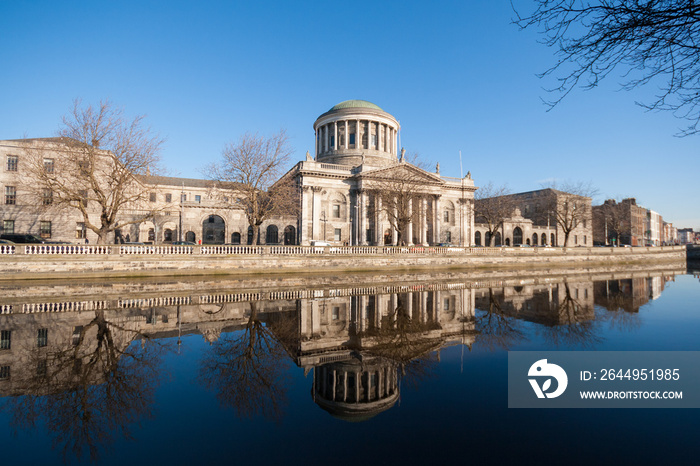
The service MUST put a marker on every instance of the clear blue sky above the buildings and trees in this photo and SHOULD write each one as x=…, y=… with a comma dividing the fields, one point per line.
x=459, y=76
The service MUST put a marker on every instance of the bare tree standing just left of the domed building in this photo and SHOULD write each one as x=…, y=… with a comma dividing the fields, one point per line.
x=252, y=166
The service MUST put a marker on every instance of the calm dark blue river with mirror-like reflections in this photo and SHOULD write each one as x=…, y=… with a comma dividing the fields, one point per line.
x=354, y=370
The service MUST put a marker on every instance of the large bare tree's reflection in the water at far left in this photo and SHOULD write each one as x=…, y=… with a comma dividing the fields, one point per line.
x=90, y=391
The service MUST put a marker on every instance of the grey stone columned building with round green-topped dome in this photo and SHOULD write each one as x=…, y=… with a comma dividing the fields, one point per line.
x=358, y=189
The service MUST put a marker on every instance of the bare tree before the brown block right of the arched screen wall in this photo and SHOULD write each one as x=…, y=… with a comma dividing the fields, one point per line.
x=569, y=204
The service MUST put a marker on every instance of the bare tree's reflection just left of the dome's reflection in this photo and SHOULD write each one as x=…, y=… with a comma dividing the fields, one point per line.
x=248, y=369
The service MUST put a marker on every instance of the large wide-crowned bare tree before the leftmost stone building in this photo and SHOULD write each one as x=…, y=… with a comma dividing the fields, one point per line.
x=94, y=166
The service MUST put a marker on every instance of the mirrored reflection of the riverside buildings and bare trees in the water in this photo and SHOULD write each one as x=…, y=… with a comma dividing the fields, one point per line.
x=88, y=368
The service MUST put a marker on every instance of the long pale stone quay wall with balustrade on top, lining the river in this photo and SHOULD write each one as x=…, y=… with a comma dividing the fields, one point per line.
x=21, y=262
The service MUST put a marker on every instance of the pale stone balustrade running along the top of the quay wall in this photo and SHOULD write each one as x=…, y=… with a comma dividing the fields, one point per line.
x=281, y=250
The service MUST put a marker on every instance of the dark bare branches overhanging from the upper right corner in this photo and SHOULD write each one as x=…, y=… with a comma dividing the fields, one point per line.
x=647, y=40
